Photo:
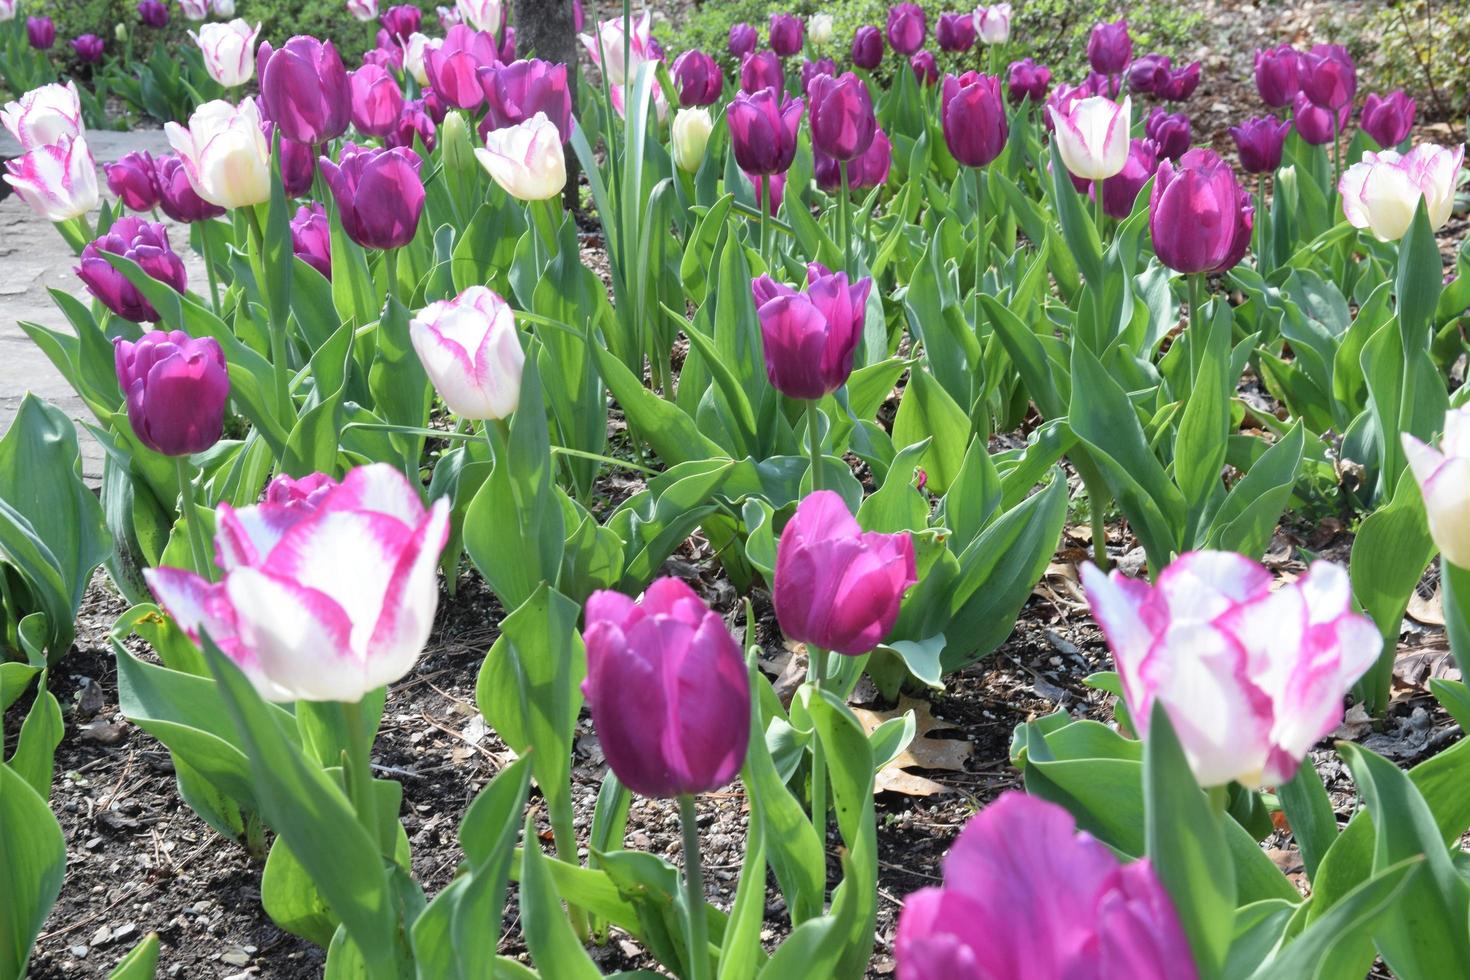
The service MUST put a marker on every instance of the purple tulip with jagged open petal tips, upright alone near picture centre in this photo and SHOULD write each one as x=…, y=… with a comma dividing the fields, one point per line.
x=811, y=337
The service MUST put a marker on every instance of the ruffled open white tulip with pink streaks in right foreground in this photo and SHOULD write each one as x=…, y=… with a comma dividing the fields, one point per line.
x=1250, y=678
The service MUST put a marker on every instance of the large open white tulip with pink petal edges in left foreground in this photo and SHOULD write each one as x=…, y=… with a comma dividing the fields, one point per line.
x=320, y=602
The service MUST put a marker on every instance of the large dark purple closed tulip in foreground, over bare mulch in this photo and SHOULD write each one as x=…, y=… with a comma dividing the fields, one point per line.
x=668, y=691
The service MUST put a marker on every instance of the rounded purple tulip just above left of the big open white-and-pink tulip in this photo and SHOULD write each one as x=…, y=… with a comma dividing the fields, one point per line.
x=177, y=389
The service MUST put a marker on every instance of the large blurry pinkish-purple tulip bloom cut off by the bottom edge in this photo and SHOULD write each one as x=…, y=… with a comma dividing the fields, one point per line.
x=1028, y=896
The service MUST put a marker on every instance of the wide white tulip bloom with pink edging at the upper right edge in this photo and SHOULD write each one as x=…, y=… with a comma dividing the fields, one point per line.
x=1383, y=193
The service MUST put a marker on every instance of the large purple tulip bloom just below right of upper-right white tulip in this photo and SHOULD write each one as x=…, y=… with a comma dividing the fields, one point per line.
x=1197, y=214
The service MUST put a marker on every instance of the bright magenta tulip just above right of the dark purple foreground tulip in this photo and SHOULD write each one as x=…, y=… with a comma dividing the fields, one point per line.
x=839, y=588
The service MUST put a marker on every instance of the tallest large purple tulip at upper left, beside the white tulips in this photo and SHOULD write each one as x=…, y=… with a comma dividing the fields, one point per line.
x=305, y=90
